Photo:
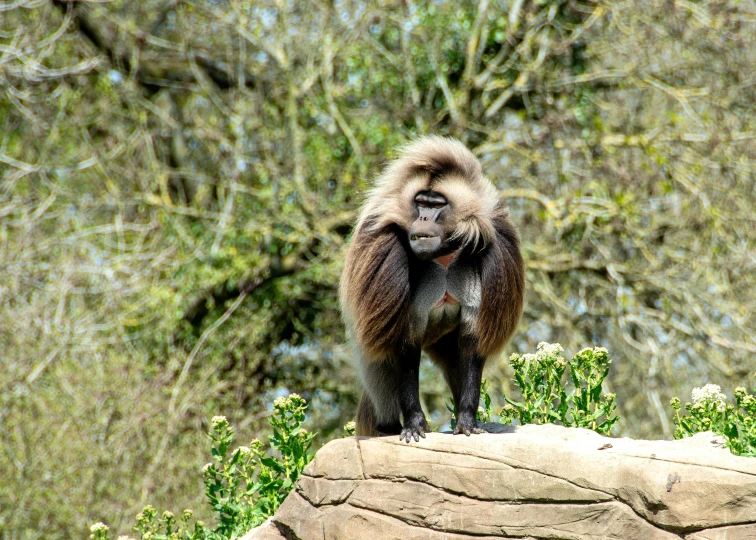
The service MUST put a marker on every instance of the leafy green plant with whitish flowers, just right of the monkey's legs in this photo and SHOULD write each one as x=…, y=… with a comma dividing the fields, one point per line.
x=545, y=398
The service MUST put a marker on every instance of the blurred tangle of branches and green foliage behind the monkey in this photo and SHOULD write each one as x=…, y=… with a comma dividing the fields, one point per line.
x=178, y=181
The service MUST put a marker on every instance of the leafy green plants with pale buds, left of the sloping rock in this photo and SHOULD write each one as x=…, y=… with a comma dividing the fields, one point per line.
x=244, y=486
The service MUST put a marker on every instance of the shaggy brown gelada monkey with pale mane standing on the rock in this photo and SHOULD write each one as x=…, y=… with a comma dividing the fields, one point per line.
x=433, y=265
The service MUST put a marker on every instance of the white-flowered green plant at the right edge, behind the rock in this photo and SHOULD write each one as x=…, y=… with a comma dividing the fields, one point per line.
x=709, y=411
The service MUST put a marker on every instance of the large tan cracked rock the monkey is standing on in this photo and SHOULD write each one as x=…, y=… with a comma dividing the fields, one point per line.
x=530, y=482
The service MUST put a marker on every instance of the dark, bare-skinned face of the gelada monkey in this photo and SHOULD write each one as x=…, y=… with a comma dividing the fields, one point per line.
x=431, y=231
